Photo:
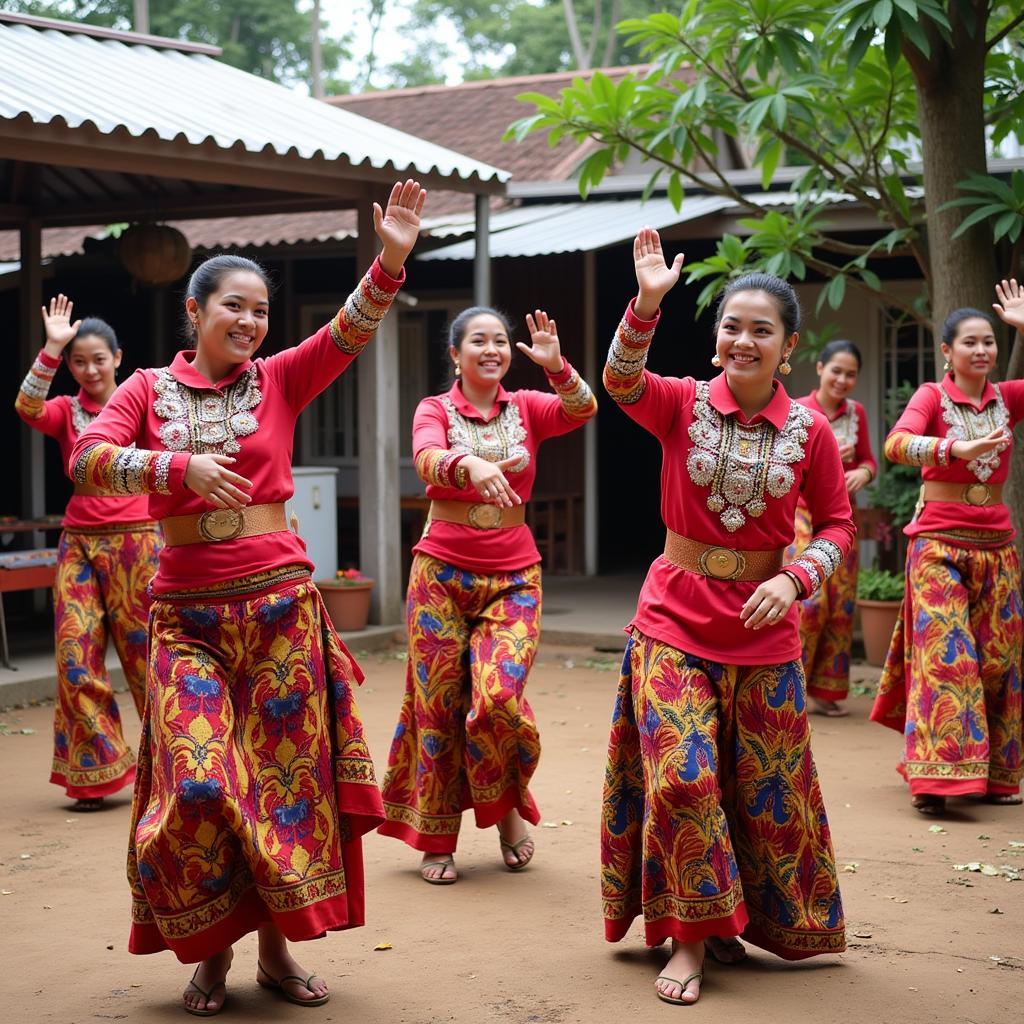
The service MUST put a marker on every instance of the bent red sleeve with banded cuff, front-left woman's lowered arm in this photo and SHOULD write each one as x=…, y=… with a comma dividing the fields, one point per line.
x=105, y=457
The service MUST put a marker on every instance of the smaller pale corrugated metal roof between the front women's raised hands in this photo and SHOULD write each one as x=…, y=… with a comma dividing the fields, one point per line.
x=574, y=228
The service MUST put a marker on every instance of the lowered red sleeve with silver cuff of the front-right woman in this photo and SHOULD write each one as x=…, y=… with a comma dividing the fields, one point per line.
x=824, y=489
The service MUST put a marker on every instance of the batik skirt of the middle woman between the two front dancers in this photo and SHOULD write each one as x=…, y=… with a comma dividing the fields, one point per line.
x=466, y=736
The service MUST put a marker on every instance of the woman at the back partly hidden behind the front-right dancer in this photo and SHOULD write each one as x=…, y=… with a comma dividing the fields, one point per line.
x=827, y=617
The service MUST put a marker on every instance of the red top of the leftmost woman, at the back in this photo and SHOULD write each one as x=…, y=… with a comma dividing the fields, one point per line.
x=65, y=418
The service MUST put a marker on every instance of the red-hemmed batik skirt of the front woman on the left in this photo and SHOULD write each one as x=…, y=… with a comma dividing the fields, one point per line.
x=255, y=784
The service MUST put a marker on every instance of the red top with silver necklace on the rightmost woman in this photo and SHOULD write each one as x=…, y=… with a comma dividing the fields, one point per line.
x=934, y=418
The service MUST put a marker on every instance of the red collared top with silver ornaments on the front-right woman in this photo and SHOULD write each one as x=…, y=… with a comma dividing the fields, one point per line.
x=732, y=482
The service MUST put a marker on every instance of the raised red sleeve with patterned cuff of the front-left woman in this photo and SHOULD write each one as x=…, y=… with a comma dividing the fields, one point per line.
x=304, y=372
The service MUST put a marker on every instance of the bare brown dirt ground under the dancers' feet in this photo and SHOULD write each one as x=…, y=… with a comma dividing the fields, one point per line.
x=928, y=942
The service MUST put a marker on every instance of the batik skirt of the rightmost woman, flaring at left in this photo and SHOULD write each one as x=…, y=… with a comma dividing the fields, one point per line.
x=952, y=682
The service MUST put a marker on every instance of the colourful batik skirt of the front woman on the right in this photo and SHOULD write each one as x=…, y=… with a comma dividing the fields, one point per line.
x=713, y=822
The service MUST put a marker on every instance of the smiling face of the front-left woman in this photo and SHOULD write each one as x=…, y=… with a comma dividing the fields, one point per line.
x=233, y=323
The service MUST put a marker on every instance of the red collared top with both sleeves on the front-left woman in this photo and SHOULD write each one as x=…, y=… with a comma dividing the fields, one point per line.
x=250, y=415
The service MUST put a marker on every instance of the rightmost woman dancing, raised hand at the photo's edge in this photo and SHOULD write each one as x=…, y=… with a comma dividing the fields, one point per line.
x=952, y=684
